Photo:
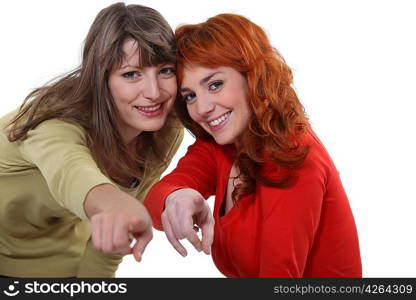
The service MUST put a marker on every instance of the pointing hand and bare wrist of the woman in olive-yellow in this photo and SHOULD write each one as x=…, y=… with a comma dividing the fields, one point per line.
x=117, y=218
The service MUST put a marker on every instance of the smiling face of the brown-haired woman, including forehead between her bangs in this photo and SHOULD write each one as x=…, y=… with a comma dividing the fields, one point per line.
x=143, y=96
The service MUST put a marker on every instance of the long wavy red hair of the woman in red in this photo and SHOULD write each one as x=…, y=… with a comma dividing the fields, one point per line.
x=278, y=118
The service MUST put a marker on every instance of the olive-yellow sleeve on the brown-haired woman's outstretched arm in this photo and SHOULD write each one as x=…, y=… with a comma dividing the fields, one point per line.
x=58, y=149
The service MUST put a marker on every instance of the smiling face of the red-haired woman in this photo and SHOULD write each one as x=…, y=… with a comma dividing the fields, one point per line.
x=217, y=100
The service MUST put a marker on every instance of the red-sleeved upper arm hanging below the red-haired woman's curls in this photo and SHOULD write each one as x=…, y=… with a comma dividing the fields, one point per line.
x=291, y=219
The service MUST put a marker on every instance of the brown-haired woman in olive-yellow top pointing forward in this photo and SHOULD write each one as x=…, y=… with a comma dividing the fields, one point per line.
x=86, y=148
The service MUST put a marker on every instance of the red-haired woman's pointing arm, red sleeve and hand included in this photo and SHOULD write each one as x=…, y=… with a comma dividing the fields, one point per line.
x=185, y=190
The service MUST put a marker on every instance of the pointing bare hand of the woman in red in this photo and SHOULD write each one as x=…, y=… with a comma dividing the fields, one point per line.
x=184, y=209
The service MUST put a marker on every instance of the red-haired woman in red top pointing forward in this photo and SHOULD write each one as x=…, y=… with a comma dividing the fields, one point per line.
x=280, y=207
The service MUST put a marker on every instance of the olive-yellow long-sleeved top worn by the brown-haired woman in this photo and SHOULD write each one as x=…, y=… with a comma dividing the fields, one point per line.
x=44, y=180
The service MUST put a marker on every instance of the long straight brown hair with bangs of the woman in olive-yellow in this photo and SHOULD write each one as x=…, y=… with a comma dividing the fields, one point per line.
x=83, y=96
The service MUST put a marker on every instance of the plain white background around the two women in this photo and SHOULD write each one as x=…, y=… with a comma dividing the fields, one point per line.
x=354, y=66
